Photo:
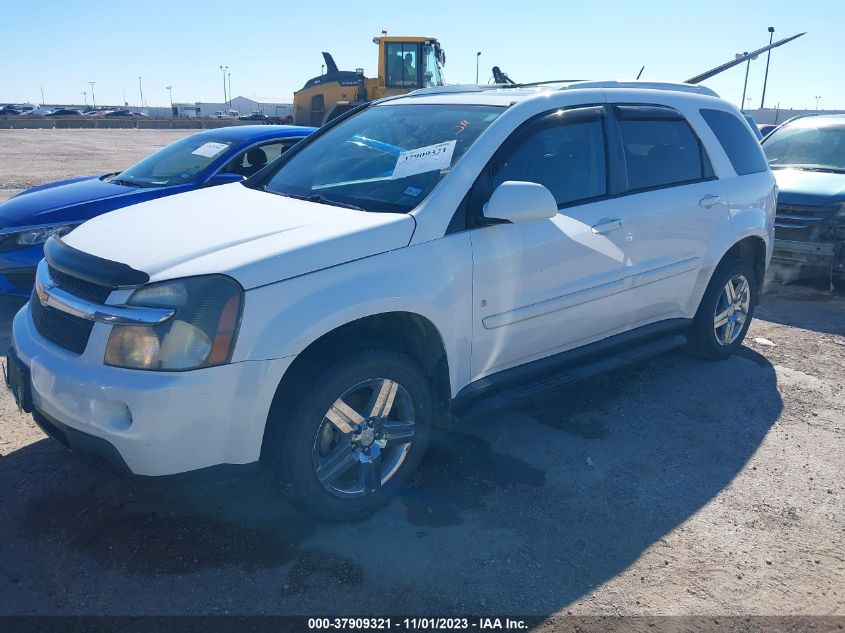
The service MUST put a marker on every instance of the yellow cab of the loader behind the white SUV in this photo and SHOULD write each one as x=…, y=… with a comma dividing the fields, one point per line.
x=408, y=63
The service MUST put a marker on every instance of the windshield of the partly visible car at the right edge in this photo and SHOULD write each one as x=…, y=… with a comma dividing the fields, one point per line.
x=807, y=145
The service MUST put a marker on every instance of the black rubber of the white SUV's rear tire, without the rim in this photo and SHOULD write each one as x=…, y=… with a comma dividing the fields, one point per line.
x=703, y=341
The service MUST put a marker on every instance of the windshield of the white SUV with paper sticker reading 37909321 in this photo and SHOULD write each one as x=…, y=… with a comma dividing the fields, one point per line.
x=387, y=158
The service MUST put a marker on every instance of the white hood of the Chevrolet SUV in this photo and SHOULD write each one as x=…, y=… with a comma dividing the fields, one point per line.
x=253, y=236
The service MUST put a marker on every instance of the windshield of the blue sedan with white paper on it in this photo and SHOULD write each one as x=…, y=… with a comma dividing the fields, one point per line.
x=176, y=164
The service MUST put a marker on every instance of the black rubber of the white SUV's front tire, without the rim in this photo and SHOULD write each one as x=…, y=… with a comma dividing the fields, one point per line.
x=293, y=428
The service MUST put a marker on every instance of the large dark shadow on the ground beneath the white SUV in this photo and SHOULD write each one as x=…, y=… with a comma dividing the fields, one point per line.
x=522, y=511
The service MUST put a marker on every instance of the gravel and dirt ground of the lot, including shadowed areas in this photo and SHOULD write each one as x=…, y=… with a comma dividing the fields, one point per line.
x=682, y=487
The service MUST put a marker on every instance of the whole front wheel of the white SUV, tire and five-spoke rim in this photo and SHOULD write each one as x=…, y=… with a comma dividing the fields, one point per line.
x=356, y=432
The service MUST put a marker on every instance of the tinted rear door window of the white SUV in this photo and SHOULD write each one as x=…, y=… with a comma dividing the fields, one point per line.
x=661, y=152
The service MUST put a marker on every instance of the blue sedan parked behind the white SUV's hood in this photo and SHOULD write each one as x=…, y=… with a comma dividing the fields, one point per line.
x=208, y=158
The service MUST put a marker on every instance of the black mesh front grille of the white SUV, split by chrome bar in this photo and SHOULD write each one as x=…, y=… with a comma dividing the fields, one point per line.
x=66, y=330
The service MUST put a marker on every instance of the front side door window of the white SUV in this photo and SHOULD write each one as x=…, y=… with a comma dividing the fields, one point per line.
x=569, y=160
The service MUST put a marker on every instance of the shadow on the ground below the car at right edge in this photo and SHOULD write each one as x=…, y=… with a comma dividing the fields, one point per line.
x=809, y=304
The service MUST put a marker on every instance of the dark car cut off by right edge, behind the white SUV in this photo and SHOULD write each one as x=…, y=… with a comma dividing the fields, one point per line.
x=807, y=157
